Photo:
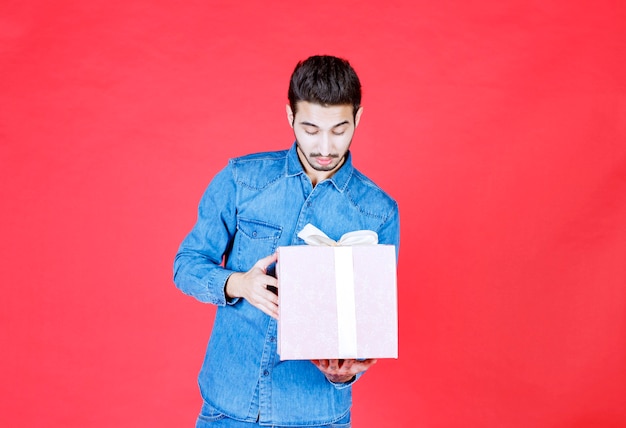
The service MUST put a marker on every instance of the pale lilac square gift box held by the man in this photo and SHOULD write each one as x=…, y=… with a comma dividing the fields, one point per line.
x=337, y=302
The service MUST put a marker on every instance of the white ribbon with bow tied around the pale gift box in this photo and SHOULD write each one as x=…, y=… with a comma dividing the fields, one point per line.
x=344, y=280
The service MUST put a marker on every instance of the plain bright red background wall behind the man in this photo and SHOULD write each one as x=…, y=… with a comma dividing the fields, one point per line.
x=499, y=126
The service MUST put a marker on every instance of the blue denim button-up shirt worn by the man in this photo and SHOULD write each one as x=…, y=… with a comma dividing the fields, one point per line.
x=254, y=205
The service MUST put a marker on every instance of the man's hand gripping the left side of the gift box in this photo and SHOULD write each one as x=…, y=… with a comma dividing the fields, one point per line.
x=252, y=286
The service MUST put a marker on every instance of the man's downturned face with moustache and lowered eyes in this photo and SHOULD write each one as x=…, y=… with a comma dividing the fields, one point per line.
x=323, y=136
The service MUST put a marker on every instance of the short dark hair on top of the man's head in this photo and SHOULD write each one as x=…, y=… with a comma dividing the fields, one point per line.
x=324, y=80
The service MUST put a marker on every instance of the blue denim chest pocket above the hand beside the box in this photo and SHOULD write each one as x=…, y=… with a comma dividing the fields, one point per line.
x=253, y=241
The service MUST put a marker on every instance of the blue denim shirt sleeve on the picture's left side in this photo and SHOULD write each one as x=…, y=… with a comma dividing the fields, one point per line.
x=198, y=267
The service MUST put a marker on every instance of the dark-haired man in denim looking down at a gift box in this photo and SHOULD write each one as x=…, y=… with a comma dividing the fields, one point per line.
x=254, y=205
